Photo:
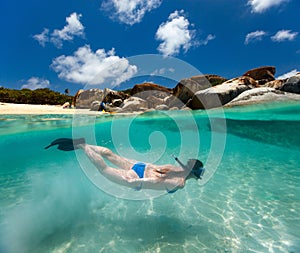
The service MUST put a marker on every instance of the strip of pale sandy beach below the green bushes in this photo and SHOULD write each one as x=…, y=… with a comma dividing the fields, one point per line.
x=8, y=108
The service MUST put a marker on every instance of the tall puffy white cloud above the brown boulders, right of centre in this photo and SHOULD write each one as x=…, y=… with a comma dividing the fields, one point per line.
x=175, y=34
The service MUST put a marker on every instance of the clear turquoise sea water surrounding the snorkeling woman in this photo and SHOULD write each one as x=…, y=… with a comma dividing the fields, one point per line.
x=250, y=203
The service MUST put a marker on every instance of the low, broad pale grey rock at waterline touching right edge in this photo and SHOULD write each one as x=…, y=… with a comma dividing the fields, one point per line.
x=262, y=95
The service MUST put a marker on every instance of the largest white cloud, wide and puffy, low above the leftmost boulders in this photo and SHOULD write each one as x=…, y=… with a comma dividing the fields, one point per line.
x=87, y=67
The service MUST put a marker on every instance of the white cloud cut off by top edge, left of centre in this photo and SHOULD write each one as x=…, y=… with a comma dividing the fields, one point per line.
x=129, y=11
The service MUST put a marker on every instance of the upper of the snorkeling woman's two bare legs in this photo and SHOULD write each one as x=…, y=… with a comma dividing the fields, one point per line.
x=117, y=160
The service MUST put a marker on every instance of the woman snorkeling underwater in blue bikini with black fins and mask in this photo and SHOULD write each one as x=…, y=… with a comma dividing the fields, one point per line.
x=137, y=175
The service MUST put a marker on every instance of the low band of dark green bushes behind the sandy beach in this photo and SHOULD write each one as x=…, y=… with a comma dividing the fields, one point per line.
x=39, y=96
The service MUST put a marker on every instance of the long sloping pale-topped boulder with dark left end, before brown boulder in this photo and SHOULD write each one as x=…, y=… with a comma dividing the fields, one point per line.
x=221, y=94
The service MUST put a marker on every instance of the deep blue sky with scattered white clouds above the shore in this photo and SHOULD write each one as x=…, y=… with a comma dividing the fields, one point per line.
x=63, y=44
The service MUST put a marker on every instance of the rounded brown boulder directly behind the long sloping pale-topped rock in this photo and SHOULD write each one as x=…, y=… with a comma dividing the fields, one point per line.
x=187, y=87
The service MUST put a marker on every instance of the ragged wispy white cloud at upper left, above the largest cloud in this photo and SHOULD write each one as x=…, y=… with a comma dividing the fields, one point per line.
x=71, y=29
